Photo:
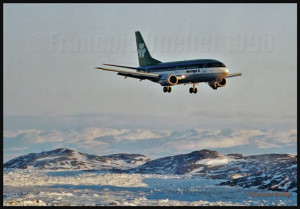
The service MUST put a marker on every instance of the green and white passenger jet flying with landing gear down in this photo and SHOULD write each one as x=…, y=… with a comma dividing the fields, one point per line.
x=168, y=74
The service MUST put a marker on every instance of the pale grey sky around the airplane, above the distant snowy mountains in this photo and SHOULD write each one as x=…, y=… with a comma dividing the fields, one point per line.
x=51, y=51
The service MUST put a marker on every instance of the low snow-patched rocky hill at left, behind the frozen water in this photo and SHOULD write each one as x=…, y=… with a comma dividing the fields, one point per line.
x=67, y=159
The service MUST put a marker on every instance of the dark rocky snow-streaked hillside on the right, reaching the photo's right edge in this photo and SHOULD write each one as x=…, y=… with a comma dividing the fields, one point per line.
x=276, y=172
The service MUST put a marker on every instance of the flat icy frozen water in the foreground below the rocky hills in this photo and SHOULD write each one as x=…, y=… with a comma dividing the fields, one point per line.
x=81, y=188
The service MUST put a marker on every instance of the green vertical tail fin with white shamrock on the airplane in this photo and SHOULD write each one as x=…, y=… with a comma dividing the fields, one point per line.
x=143, y=53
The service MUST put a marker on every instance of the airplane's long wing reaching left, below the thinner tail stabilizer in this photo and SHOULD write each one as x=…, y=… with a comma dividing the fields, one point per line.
x=138, y=75
